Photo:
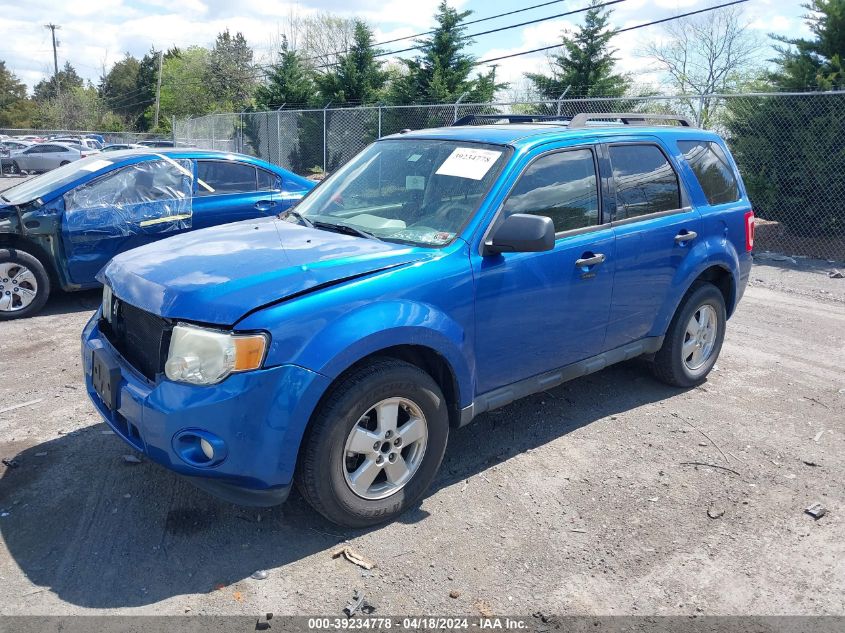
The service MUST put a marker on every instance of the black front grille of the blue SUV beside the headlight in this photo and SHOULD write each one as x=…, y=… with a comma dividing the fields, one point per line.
x=140, y=337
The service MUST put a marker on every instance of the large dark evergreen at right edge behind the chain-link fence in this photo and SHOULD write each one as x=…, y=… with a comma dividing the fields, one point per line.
x=790, y=149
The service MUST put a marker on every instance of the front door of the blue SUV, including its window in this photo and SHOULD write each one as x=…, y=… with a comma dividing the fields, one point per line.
x=536, y=312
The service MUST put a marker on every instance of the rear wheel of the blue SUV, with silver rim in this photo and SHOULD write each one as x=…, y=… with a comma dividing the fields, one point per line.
x=694, y=338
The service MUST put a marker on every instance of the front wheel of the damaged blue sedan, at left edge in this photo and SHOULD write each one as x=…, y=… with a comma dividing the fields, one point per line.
x=24, y=284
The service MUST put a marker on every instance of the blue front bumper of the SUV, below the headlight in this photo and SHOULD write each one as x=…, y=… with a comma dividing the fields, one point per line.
x=260, y=416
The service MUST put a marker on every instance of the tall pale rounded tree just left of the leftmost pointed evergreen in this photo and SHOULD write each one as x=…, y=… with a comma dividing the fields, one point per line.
x=231, y=76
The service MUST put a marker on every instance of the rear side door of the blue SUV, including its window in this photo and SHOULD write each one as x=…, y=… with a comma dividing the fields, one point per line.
x=655, y=228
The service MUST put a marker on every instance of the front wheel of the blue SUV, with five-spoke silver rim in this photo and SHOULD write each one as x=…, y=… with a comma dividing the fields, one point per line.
x=374, y=445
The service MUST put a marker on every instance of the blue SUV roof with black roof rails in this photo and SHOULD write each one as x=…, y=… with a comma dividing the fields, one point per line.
x=527, y=134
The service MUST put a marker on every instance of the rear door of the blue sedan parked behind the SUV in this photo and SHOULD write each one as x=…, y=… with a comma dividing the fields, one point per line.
x=228, y=191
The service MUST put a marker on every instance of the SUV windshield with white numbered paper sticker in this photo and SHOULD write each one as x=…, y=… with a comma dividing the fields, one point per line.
x=416, y=191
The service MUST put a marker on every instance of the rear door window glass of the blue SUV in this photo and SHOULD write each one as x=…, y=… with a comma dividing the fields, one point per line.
x=645, y=181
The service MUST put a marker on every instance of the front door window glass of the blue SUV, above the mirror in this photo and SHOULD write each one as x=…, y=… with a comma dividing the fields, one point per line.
x=562, y=186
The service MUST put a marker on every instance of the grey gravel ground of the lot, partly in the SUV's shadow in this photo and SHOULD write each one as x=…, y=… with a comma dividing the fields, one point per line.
x=574, y=501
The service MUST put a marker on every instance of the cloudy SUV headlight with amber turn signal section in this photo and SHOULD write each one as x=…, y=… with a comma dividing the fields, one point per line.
x=201, y=356
